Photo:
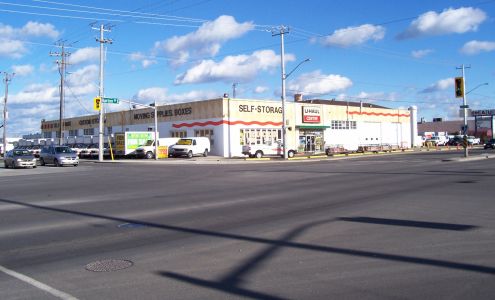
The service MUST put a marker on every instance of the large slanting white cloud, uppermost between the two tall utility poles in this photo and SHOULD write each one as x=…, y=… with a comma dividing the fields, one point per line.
x=207, y=40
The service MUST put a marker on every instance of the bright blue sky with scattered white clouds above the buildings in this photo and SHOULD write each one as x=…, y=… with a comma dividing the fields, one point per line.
x=392, y=53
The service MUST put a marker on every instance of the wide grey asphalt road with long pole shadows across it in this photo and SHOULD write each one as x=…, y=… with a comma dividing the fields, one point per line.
x=406, y=226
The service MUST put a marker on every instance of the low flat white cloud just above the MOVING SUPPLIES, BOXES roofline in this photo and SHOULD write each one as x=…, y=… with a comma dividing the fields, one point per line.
x=161, y=95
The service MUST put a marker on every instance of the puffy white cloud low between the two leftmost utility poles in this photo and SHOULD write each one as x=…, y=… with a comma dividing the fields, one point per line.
x=36, y=93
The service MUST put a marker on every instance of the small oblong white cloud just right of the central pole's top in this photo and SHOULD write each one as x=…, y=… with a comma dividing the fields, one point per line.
x=352, y=36
